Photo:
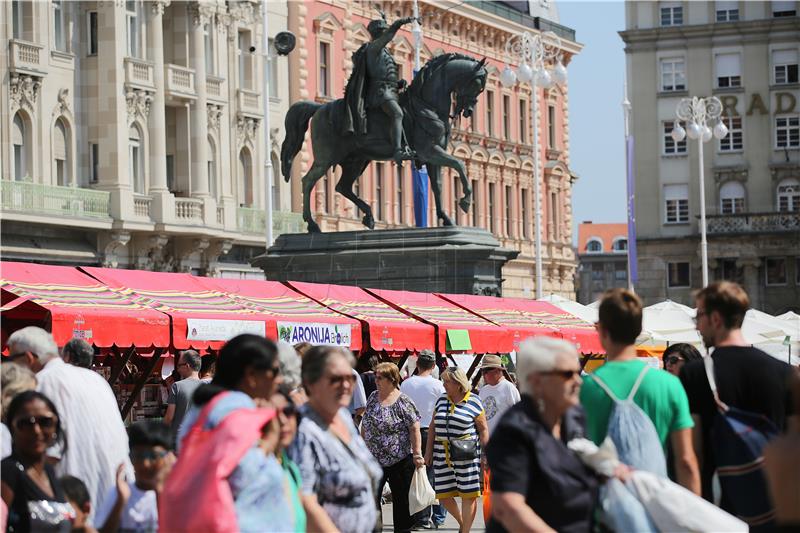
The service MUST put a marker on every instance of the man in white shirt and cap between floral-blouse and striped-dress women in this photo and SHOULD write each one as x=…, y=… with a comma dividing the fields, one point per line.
x=424, y=390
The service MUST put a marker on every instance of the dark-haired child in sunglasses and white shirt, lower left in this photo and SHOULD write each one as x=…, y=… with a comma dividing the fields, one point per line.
x=132, y=506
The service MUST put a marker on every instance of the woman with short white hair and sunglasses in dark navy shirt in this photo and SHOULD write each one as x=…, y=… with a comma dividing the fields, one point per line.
x=538, y=484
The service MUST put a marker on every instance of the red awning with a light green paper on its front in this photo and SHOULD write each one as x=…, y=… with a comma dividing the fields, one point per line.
x=458, y=330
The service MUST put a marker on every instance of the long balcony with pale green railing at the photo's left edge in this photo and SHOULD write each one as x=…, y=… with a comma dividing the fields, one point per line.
x=52, y=200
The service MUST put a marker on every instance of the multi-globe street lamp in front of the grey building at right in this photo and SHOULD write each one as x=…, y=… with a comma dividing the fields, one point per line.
x=697, y=113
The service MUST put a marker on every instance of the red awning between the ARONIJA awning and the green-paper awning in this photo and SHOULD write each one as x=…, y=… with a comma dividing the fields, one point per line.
x=388, y=329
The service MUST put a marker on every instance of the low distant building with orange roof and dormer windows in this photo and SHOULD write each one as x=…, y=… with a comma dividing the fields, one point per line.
x=602, y=259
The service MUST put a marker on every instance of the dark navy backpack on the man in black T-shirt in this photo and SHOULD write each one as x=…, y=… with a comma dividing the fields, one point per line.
x=738, y=438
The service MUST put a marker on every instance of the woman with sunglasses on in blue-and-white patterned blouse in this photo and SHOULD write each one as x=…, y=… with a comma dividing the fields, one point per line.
x=339, y=473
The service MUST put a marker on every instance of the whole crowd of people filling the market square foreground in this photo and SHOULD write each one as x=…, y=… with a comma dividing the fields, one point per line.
x=274, y=437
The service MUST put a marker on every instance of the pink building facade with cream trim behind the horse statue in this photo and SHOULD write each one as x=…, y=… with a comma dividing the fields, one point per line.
x=496, y=145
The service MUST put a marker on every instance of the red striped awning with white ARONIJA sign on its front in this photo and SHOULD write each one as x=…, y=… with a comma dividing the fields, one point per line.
x=293, y=317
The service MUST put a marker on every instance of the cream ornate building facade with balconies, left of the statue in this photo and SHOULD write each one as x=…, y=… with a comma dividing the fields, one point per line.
x=132, y=133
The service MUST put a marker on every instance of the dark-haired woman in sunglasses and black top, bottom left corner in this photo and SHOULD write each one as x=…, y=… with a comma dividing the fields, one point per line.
x=30, y=487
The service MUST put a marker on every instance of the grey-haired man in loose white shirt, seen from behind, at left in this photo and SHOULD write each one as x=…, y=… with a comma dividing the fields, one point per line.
x=96, y=440
